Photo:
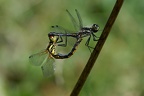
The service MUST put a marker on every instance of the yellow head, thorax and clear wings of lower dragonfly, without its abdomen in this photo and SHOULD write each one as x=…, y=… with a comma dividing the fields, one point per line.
x=44, y=59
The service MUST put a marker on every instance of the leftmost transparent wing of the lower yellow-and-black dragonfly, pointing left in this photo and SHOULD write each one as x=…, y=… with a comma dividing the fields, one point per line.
x=38, y=58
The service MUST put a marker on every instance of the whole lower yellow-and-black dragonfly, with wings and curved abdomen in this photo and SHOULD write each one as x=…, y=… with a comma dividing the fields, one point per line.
x=46, y=58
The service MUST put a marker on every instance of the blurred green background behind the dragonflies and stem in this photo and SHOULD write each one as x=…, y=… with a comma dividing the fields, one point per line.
x=24, y=25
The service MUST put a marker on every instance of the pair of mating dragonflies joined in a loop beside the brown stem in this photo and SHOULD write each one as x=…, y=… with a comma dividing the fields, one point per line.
x=47, y=56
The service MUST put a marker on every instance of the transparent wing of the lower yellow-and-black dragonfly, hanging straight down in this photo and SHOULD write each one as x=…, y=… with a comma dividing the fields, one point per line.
x=48, y=67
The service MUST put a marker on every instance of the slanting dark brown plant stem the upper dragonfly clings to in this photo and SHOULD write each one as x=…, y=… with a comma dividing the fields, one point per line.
x=97, y=49
